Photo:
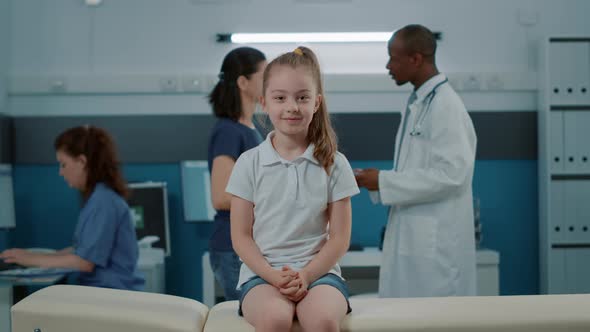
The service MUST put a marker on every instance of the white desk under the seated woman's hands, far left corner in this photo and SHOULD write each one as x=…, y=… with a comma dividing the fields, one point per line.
x=6, y=285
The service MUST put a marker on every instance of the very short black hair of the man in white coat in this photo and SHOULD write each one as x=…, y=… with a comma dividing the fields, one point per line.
x=418, y=39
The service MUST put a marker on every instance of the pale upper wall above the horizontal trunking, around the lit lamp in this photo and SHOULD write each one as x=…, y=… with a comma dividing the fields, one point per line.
x=154, y=35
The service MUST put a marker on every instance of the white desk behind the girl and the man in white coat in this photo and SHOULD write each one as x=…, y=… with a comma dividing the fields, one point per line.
x=370, y=258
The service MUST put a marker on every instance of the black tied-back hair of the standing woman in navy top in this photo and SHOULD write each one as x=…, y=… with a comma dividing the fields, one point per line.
x=225, y=96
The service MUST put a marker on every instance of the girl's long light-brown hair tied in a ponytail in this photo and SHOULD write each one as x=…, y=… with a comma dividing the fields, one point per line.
x=320, y=132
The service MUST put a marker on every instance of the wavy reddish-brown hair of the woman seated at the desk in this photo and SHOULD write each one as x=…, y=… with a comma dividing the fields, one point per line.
x=102, y=164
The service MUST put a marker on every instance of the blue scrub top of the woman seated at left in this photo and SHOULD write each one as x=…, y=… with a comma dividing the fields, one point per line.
x=106, y=237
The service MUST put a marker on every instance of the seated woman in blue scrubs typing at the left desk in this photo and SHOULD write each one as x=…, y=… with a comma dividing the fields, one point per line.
x=104, y=246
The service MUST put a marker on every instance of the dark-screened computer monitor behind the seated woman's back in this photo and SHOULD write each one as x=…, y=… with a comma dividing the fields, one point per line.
x=148, y=203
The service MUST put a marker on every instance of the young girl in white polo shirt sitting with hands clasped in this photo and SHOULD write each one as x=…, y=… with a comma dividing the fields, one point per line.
x=290, y=210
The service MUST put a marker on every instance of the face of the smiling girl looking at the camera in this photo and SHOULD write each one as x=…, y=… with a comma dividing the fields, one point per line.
x=290, y=100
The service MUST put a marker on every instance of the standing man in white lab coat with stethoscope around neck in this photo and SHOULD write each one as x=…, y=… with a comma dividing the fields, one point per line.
x=429, y=245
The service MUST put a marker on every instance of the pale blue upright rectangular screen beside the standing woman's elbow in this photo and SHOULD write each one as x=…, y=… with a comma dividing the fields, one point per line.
x=196, y=191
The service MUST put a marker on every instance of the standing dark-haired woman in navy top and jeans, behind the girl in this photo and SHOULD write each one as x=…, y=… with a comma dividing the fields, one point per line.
x=233, y=100
